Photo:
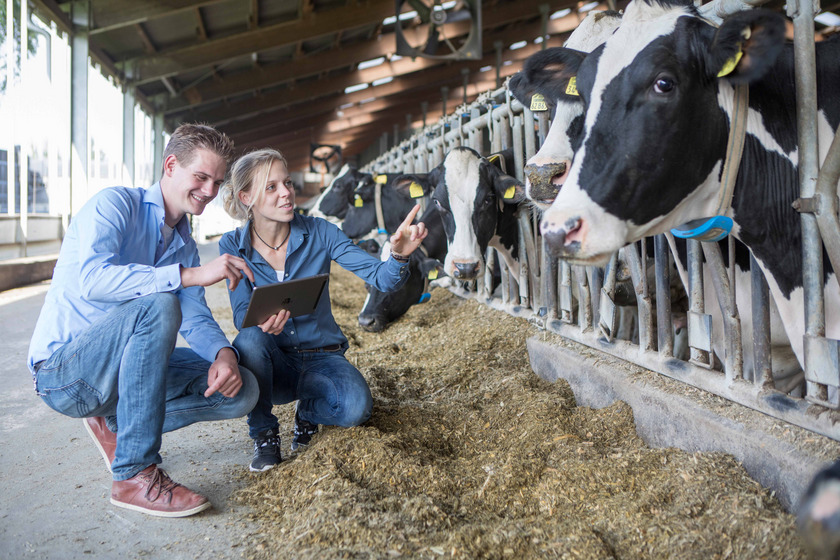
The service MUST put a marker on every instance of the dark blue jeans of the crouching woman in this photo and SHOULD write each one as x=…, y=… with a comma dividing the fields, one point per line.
x=329, y=389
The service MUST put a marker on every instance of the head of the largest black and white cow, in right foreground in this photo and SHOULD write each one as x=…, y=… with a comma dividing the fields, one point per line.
x=656, y=124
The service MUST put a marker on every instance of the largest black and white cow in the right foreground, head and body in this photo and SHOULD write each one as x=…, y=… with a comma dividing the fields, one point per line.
x=655, y=134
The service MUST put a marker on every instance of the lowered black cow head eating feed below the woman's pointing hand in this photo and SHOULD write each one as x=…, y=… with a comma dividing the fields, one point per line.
x=383, y=308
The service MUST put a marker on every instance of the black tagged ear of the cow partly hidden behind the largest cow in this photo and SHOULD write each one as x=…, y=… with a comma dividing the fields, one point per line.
x=553, y=72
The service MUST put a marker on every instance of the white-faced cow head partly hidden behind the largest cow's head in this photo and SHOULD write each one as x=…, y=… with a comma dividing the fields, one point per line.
x=548, y=169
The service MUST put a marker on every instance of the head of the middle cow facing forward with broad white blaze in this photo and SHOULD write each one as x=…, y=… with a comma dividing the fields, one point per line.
x=470, y=193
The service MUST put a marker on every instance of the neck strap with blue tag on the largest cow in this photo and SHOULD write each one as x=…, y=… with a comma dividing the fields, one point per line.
x=718, y=226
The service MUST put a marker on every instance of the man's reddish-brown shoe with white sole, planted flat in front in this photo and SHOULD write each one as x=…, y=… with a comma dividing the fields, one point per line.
x=151, y=491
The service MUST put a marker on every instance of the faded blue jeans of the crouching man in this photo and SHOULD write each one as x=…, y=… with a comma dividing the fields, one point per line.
x=126, y=368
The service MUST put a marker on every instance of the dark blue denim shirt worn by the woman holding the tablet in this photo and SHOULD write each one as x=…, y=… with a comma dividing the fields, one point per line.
x=313, y=244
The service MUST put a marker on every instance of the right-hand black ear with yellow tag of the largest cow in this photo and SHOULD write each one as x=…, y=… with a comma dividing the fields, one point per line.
x=747, y=45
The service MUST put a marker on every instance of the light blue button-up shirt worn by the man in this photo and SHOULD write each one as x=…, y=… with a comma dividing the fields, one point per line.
x=108, y=257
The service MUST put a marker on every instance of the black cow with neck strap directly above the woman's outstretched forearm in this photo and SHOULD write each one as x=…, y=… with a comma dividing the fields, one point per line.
x=396, y=203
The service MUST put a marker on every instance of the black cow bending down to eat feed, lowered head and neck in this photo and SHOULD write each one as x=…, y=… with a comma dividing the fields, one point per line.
x=382, y=308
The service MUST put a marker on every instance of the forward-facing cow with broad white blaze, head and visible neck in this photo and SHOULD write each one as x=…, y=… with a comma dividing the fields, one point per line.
x=478, y=204
